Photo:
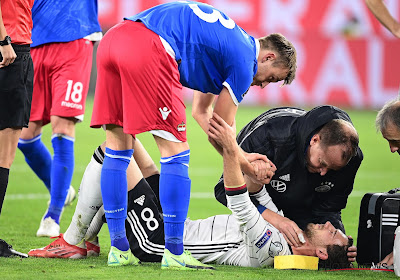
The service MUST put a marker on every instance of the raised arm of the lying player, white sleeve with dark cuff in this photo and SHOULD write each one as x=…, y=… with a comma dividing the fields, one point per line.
x=256, y=231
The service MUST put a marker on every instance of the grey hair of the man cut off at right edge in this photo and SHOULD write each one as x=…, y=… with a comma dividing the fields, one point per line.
x=390, y=112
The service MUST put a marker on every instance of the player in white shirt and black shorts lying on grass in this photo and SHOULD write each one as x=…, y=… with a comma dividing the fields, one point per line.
x=243, y=238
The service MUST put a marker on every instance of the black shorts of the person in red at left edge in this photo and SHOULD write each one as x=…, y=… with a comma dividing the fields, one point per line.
x=16, y=86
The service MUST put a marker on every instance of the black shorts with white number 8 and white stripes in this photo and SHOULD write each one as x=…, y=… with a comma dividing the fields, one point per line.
x=144, y=224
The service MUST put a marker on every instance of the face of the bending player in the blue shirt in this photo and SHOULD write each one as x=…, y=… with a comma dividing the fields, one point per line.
x=266, y=73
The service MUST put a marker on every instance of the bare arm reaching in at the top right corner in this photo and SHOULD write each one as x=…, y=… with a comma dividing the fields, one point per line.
x=380, y=11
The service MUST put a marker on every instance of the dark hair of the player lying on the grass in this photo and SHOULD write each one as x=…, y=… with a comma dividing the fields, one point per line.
x=337, y=257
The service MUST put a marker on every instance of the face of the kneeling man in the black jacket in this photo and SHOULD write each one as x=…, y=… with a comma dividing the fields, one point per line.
x=321, y=159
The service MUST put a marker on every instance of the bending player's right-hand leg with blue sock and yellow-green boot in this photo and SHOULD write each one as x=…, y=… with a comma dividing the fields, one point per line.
x=174, y=197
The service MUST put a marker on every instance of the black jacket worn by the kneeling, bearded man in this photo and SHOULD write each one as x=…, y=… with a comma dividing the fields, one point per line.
x=283, y=135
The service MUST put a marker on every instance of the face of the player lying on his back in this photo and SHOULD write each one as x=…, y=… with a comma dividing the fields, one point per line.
x=325, y=234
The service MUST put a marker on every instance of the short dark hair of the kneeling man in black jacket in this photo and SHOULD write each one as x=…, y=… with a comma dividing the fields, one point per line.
x=335, y=133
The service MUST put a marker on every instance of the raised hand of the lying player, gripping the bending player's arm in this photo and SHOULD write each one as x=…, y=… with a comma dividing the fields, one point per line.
x=222, y=133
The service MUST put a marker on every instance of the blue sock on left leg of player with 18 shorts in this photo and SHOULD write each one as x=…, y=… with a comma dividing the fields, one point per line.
x=38, y=158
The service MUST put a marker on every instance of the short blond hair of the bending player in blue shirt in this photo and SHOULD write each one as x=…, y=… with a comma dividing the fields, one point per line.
x=287, y=55
